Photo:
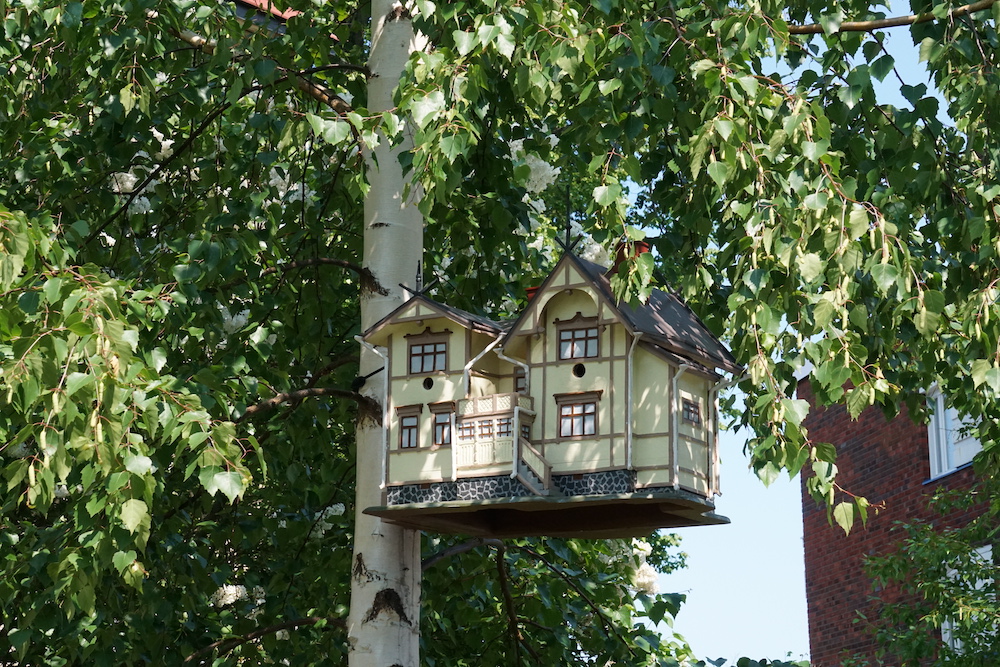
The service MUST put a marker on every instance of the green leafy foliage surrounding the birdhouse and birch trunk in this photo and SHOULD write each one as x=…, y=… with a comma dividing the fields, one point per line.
x=180, y=228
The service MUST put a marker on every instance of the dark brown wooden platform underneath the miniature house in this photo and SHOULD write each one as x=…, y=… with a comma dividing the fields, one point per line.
x=595, y=517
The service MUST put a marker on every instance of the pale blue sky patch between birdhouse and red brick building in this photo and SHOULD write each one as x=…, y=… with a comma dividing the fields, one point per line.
x=745, y=581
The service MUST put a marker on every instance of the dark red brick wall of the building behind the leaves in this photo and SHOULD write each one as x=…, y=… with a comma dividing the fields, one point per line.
x=887, y=462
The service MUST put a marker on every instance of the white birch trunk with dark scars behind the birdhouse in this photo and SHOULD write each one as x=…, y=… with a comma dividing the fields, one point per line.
x=384, y=623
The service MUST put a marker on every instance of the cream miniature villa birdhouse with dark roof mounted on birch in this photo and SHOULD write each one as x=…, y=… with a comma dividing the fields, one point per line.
x=582, y=418
